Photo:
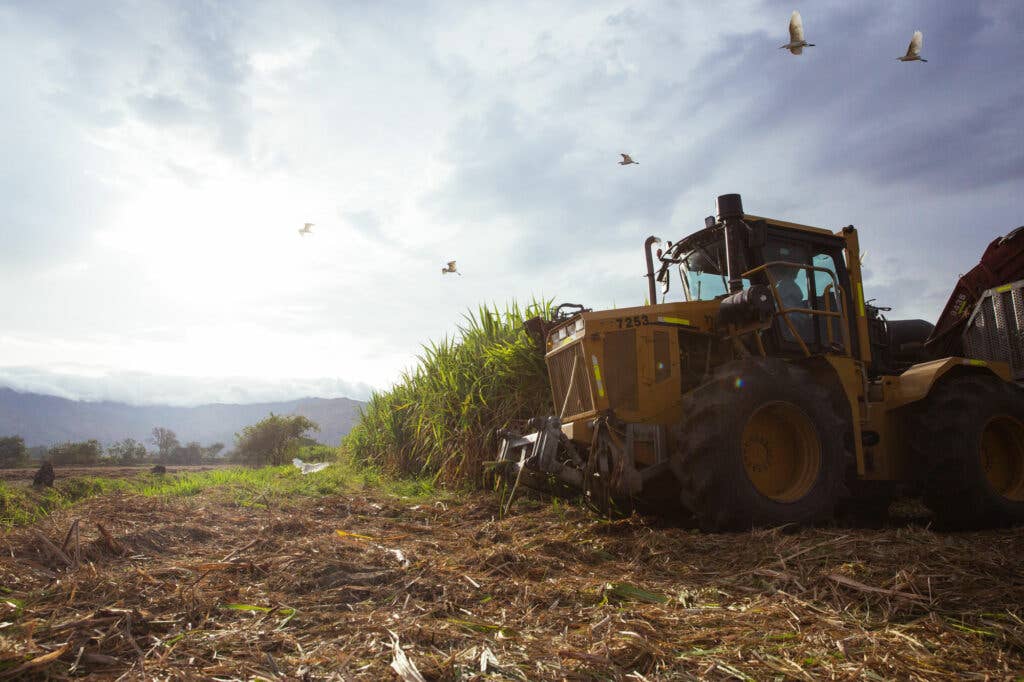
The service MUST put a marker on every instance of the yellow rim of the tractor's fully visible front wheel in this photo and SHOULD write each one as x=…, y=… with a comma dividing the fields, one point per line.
x=782, y=452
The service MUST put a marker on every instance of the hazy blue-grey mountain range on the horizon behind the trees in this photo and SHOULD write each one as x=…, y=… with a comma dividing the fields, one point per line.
x=46, y=420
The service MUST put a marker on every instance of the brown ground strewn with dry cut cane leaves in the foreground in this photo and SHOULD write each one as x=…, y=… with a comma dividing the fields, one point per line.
x=201, y=588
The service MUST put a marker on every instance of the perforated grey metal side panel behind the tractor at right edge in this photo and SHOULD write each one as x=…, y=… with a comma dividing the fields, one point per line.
x=994, y=332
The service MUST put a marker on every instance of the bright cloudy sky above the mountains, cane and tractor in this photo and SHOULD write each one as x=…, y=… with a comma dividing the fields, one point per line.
x=160, y=158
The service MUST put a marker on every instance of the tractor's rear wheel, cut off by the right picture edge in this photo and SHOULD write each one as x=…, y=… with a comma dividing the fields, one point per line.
x=968, y=439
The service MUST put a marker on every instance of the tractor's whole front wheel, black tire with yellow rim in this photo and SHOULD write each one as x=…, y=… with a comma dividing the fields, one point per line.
x=761, y=445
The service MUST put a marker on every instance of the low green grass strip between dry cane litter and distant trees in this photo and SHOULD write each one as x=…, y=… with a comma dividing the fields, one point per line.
x=20, y=505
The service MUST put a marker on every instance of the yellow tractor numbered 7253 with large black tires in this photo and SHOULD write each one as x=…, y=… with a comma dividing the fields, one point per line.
x=774, y=394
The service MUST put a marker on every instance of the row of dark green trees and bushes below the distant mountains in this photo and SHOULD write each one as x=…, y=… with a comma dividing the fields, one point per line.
x=274, y=441
